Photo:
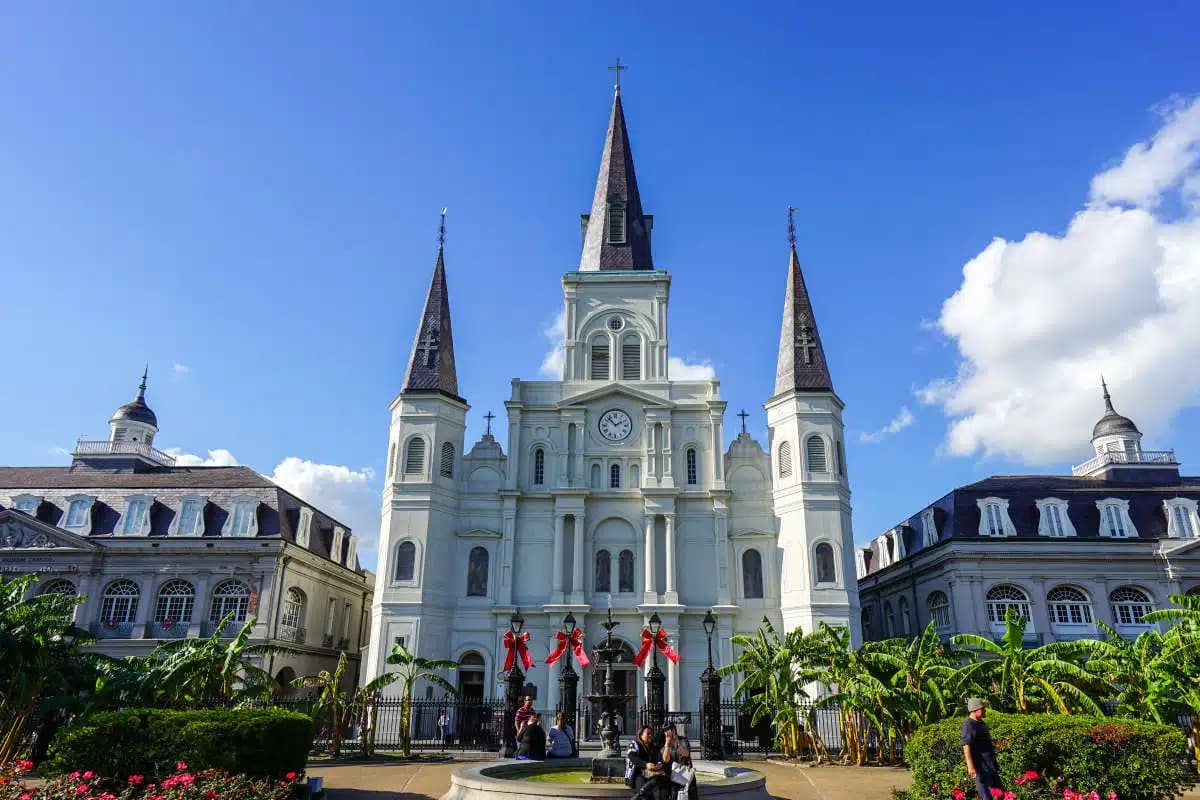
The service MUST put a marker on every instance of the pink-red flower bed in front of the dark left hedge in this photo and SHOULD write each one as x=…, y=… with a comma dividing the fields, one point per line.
x=182, y=785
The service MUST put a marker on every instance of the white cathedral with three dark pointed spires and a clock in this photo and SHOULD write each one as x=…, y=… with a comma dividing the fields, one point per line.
x=614, y=486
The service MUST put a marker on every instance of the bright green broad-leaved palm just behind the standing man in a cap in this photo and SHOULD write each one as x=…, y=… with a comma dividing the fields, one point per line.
x=1049, y=676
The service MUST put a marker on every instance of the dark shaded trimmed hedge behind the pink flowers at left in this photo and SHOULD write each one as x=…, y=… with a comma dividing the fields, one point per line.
x=267, y=743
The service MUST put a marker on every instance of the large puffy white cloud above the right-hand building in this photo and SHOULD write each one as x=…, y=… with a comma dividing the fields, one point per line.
x=1037, y=321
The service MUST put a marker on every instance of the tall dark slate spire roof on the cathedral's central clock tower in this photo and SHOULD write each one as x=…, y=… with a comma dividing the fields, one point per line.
x=617, y=233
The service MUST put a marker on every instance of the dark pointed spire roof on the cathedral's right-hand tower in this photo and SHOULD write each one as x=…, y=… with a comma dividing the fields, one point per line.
x=802, y=363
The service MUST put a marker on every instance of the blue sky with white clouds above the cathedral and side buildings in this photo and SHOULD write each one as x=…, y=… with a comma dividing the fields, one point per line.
x=247, y=199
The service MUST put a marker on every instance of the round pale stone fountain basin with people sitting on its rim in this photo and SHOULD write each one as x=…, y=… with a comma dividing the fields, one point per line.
x=512, y=780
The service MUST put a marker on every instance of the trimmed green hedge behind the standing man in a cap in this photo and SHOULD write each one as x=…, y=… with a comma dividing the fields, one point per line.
x=1139, y=761
